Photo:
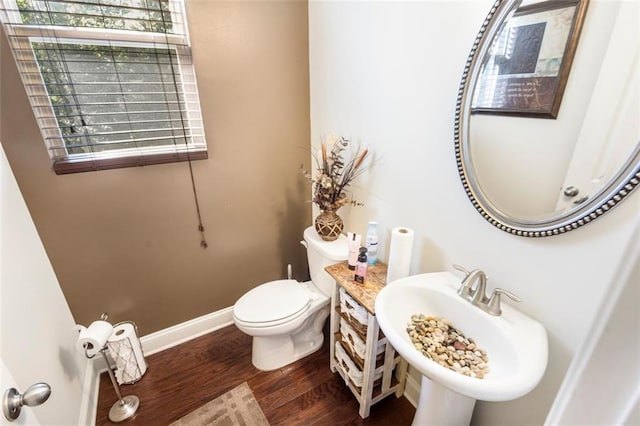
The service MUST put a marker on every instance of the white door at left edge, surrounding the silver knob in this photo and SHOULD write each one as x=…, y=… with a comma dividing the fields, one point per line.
x=38, y=335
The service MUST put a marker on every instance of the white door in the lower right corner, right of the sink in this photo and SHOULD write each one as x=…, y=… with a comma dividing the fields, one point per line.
x=607, y=361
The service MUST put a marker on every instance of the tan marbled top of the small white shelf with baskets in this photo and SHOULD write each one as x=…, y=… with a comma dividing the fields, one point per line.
x=365, y=294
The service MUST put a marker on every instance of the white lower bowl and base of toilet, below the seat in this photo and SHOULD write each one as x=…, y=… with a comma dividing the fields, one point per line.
x=273, y=352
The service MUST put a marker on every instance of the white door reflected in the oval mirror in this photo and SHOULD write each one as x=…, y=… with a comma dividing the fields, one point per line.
x=610, y=131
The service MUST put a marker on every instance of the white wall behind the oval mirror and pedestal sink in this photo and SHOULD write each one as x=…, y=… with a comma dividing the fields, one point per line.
x=387, y=74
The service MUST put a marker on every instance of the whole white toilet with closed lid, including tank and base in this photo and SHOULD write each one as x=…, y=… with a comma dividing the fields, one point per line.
x=286, y=317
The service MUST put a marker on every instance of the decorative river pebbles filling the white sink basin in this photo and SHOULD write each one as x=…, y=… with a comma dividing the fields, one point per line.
x=441, y=342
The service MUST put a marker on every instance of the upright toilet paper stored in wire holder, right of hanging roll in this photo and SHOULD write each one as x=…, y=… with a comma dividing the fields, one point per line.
x=126, y=350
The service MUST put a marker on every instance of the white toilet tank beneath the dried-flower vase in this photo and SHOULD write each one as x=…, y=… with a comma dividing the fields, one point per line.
x=321, y=254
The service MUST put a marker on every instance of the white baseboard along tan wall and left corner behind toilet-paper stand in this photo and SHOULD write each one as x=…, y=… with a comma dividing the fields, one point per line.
x=151, y=344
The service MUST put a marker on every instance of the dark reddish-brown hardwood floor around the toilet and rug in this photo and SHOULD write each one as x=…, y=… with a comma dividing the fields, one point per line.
x=183, y=378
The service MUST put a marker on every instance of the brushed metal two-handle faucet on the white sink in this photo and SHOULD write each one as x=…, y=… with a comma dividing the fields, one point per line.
x=477, y=295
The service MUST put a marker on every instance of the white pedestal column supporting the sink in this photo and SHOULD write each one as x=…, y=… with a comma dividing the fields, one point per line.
x=439, y=405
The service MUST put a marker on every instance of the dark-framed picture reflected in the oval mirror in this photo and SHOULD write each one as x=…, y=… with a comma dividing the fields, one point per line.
x=528, y=65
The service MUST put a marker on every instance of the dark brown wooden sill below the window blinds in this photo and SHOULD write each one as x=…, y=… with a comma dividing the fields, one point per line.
x=62, y=167
